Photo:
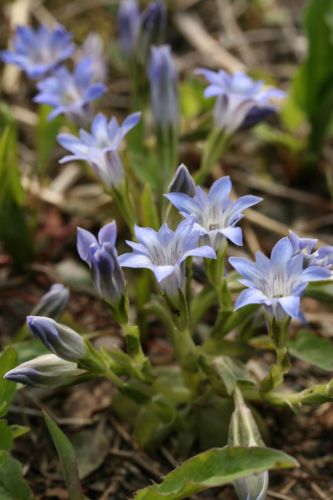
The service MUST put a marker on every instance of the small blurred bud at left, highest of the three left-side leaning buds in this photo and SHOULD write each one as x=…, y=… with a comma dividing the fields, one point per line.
x=53, y=303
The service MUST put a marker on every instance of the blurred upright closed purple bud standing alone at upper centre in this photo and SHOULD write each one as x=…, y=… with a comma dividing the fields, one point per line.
x=163, y=87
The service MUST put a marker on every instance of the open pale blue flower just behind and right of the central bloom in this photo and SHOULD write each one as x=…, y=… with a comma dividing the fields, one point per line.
x=215, y=214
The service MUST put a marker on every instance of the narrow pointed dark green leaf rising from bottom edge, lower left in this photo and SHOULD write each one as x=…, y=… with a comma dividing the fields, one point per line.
x=67, y=457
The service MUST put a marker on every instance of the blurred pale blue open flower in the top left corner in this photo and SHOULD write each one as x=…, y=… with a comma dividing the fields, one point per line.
x=39, y=51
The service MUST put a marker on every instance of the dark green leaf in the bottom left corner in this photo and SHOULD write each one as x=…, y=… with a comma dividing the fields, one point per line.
x=12, y=484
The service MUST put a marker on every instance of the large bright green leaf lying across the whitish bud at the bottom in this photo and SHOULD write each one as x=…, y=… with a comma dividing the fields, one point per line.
x=215, y=467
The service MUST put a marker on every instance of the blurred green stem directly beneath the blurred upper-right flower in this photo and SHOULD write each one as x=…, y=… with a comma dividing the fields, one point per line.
x=216, y=145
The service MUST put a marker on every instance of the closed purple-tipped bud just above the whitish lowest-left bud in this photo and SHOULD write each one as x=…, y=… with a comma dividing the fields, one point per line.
x=60, y=339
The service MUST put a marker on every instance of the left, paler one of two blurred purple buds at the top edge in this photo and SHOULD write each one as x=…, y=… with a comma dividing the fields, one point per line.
x=128, y=26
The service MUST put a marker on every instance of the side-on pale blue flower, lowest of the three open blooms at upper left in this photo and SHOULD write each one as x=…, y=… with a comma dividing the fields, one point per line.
x=100, y=147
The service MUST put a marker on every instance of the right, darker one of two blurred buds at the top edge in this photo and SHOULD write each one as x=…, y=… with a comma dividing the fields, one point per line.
x=152, y=32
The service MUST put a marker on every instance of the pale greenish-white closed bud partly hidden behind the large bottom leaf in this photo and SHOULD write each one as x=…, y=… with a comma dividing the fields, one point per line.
x=243, y=431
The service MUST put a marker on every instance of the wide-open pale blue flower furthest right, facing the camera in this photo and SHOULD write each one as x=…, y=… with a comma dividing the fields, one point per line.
x=276, y=283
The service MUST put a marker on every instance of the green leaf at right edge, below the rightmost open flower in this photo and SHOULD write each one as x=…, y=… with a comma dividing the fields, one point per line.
x=309, y=347
